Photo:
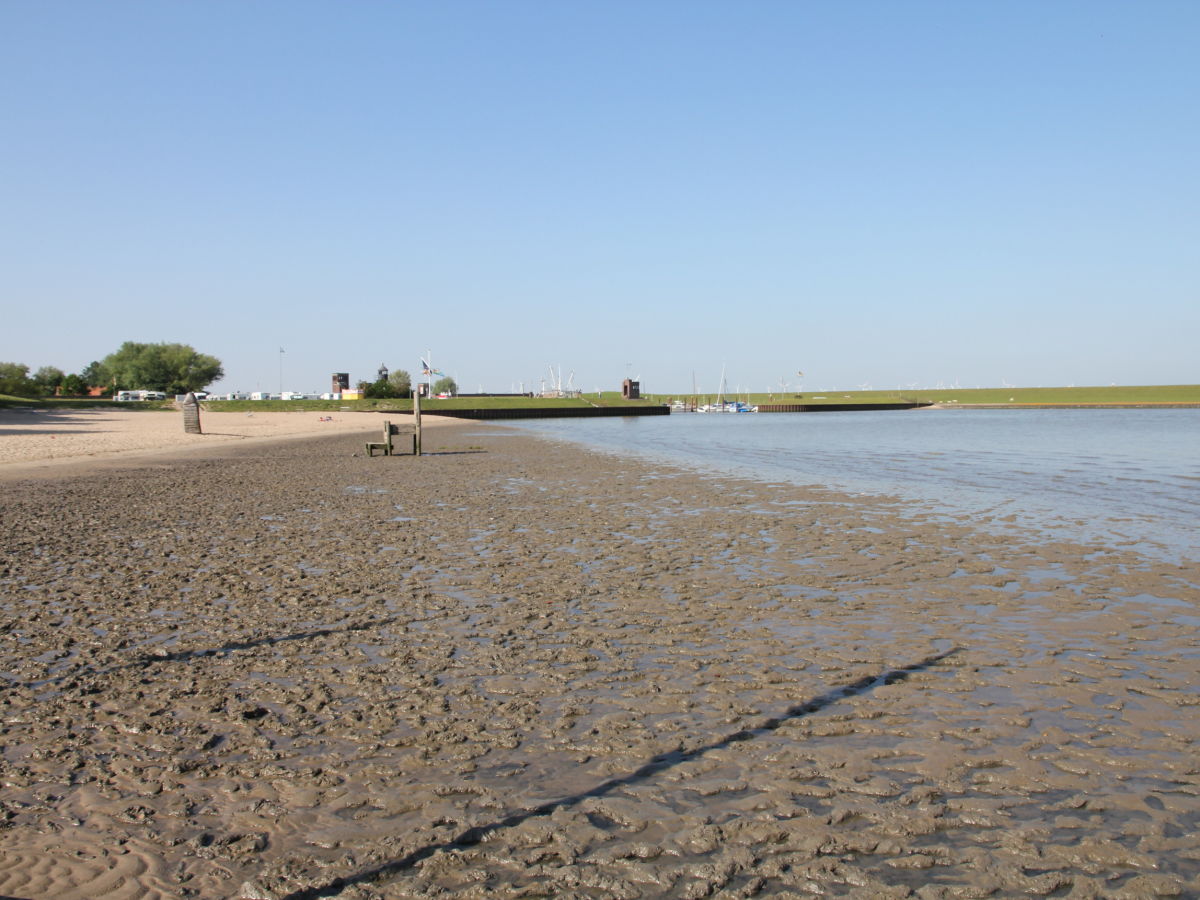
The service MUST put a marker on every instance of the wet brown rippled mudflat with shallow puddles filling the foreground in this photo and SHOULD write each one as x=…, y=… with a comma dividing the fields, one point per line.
x=512, y=669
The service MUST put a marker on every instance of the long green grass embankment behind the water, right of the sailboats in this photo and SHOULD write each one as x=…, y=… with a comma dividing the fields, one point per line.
x=1114, y=395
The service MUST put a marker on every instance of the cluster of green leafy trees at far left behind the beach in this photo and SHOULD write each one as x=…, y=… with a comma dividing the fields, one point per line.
x=169, y=368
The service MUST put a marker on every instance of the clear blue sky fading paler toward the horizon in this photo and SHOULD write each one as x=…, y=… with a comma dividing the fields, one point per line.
x=873, y=193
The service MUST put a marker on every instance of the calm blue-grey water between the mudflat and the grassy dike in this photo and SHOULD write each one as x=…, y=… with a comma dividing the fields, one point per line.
x=1117, y=477
